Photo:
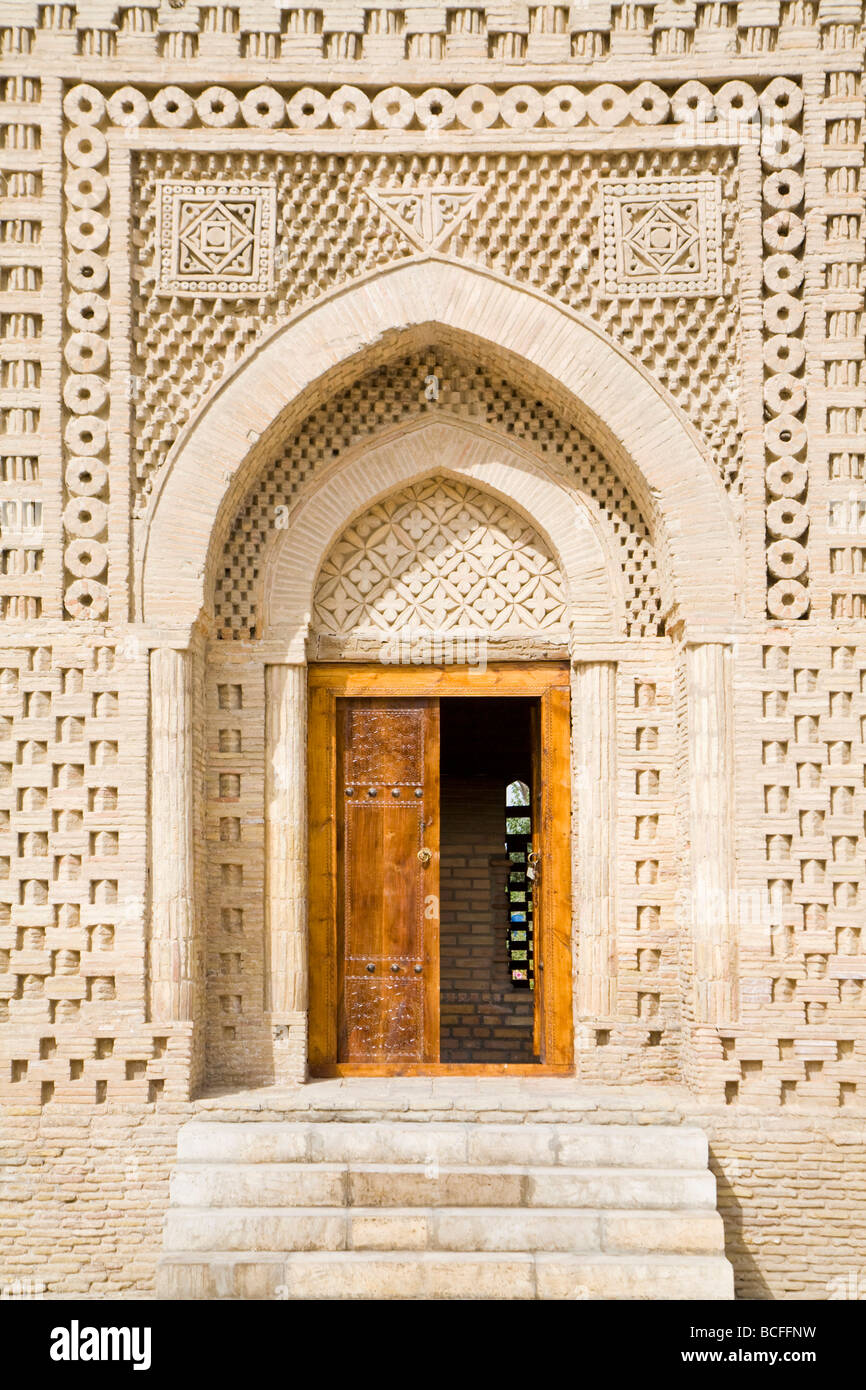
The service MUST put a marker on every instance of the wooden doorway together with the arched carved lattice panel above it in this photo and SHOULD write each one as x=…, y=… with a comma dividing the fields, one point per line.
x=440, y=917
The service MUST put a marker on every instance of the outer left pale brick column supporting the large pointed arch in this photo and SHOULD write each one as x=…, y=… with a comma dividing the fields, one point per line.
x=173, y=842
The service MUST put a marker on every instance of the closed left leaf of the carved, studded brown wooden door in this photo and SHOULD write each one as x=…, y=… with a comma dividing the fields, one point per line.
x=389, y=867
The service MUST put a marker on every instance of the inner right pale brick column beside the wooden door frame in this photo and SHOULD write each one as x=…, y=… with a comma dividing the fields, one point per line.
x=594, y=739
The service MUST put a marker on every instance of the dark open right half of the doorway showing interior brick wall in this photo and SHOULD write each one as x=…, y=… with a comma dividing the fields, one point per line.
x=487, y=1007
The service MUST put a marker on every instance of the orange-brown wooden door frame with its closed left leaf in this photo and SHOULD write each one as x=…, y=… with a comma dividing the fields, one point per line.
x=377, y=729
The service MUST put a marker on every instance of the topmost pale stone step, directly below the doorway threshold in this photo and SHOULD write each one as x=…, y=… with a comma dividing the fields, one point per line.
x=591, y=1146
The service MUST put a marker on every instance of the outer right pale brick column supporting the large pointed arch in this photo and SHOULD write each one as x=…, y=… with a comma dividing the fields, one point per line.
x=711, y=832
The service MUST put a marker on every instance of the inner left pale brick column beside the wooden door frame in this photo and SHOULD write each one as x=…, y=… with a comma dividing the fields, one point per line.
x=286, y=847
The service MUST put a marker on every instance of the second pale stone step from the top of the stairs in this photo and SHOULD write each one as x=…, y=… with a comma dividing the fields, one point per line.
x=436, y=1185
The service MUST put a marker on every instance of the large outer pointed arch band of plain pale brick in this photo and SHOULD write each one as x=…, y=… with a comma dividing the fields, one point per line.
x=628, y=415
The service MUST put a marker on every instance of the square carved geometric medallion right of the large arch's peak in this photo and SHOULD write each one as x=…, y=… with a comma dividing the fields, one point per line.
x=662, y=237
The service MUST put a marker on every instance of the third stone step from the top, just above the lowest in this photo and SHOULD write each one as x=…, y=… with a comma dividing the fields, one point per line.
x=497, y=1229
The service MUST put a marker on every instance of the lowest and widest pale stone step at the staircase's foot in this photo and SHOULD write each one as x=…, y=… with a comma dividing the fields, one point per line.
x=446, y=1275
